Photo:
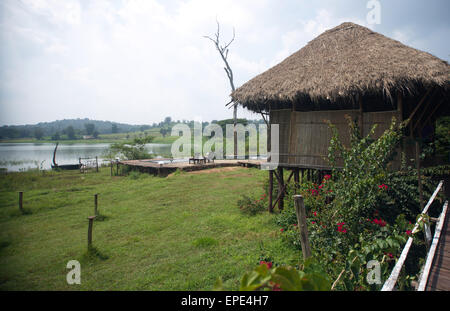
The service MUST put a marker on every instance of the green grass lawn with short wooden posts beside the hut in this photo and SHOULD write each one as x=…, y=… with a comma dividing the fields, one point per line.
x=176, y=233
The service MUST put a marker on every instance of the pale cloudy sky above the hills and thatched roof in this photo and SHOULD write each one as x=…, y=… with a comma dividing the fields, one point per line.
x=139, y=61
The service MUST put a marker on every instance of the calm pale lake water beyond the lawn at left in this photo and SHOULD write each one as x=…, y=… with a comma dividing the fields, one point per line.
x=23, y=156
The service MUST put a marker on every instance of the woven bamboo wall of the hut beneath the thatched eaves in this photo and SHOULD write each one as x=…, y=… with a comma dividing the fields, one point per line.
x=305, y=137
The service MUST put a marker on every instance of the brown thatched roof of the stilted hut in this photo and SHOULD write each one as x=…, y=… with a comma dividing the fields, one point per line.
x=341, y=62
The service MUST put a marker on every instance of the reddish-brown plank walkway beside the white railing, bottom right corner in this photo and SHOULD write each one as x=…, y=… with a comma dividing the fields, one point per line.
x=439, y=277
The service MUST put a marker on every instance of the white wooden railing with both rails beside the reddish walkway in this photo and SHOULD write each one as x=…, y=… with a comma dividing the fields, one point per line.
x=392, y=280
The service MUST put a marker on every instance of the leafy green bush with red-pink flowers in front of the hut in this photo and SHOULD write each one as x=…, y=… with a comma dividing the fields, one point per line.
x=355, y=214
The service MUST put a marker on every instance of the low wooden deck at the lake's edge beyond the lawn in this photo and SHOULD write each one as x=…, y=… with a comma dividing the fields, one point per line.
x=151, y=166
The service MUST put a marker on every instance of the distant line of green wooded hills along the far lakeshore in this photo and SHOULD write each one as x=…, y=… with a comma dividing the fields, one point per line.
x=77, y=128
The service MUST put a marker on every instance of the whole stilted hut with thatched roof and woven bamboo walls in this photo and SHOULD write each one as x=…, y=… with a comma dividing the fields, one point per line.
x=348, y=70
